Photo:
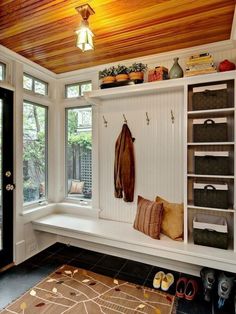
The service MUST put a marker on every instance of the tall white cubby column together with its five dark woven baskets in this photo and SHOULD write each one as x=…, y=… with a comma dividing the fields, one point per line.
x=210, y=163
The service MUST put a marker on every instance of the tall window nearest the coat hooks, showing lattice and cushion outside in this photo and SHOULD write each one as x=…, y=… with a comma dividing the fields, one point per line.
x=79, y=153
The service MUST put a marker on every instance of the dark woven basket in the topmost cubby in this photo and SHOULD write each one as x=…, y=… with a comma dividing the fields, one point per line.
x=210, y=99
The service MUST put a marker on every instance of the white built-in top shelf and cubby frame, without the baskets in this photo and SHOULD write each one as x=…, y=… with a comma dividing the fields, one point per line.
x=191, y=146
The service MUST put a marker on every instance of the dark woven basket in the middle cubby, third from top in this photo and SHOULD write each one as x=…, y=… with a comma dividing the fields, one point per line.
x=212, y=163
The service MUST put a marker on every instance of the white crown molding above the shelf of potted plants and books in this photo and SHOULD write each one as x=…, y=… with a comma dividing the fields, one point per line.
x=153, y=59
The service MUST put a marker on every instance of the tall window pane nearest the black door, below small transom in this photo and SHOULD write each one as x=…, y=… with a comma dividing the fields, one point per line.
x=34, y=152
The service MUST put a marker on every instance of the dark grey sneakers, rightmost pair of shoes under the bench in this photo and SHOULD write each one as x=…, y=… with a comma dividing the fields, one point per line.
x=225, y=285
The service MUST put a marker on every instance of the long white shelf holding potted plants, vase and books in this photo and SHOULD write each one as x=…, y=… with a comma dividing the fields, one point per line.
x=154, y=87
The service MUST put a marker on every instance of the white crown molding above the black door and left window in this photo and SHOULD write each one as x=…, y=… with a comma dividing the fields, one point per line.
x=6, y=53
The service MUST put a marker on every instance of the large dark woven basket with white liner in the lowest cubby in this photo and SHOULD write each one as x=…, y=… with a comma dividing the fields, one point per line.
x=210, y=231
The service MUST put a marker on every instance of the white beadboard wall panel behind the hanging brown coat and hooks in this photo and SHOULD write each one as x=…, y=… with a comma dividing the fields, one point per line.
x=158, y=150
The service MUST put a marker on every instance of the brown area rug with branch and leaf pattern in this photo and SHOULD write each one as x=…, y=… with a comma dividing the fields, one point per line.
x=73, y=290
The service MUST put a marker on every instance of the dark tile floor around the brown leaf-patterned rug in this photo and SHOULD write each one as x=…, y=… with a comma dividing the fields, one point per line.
x=15, y=281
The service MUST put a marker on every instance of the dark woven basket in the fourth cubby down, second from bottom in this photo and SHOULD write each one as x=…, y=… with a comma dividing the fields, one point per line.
x=211, y=195
